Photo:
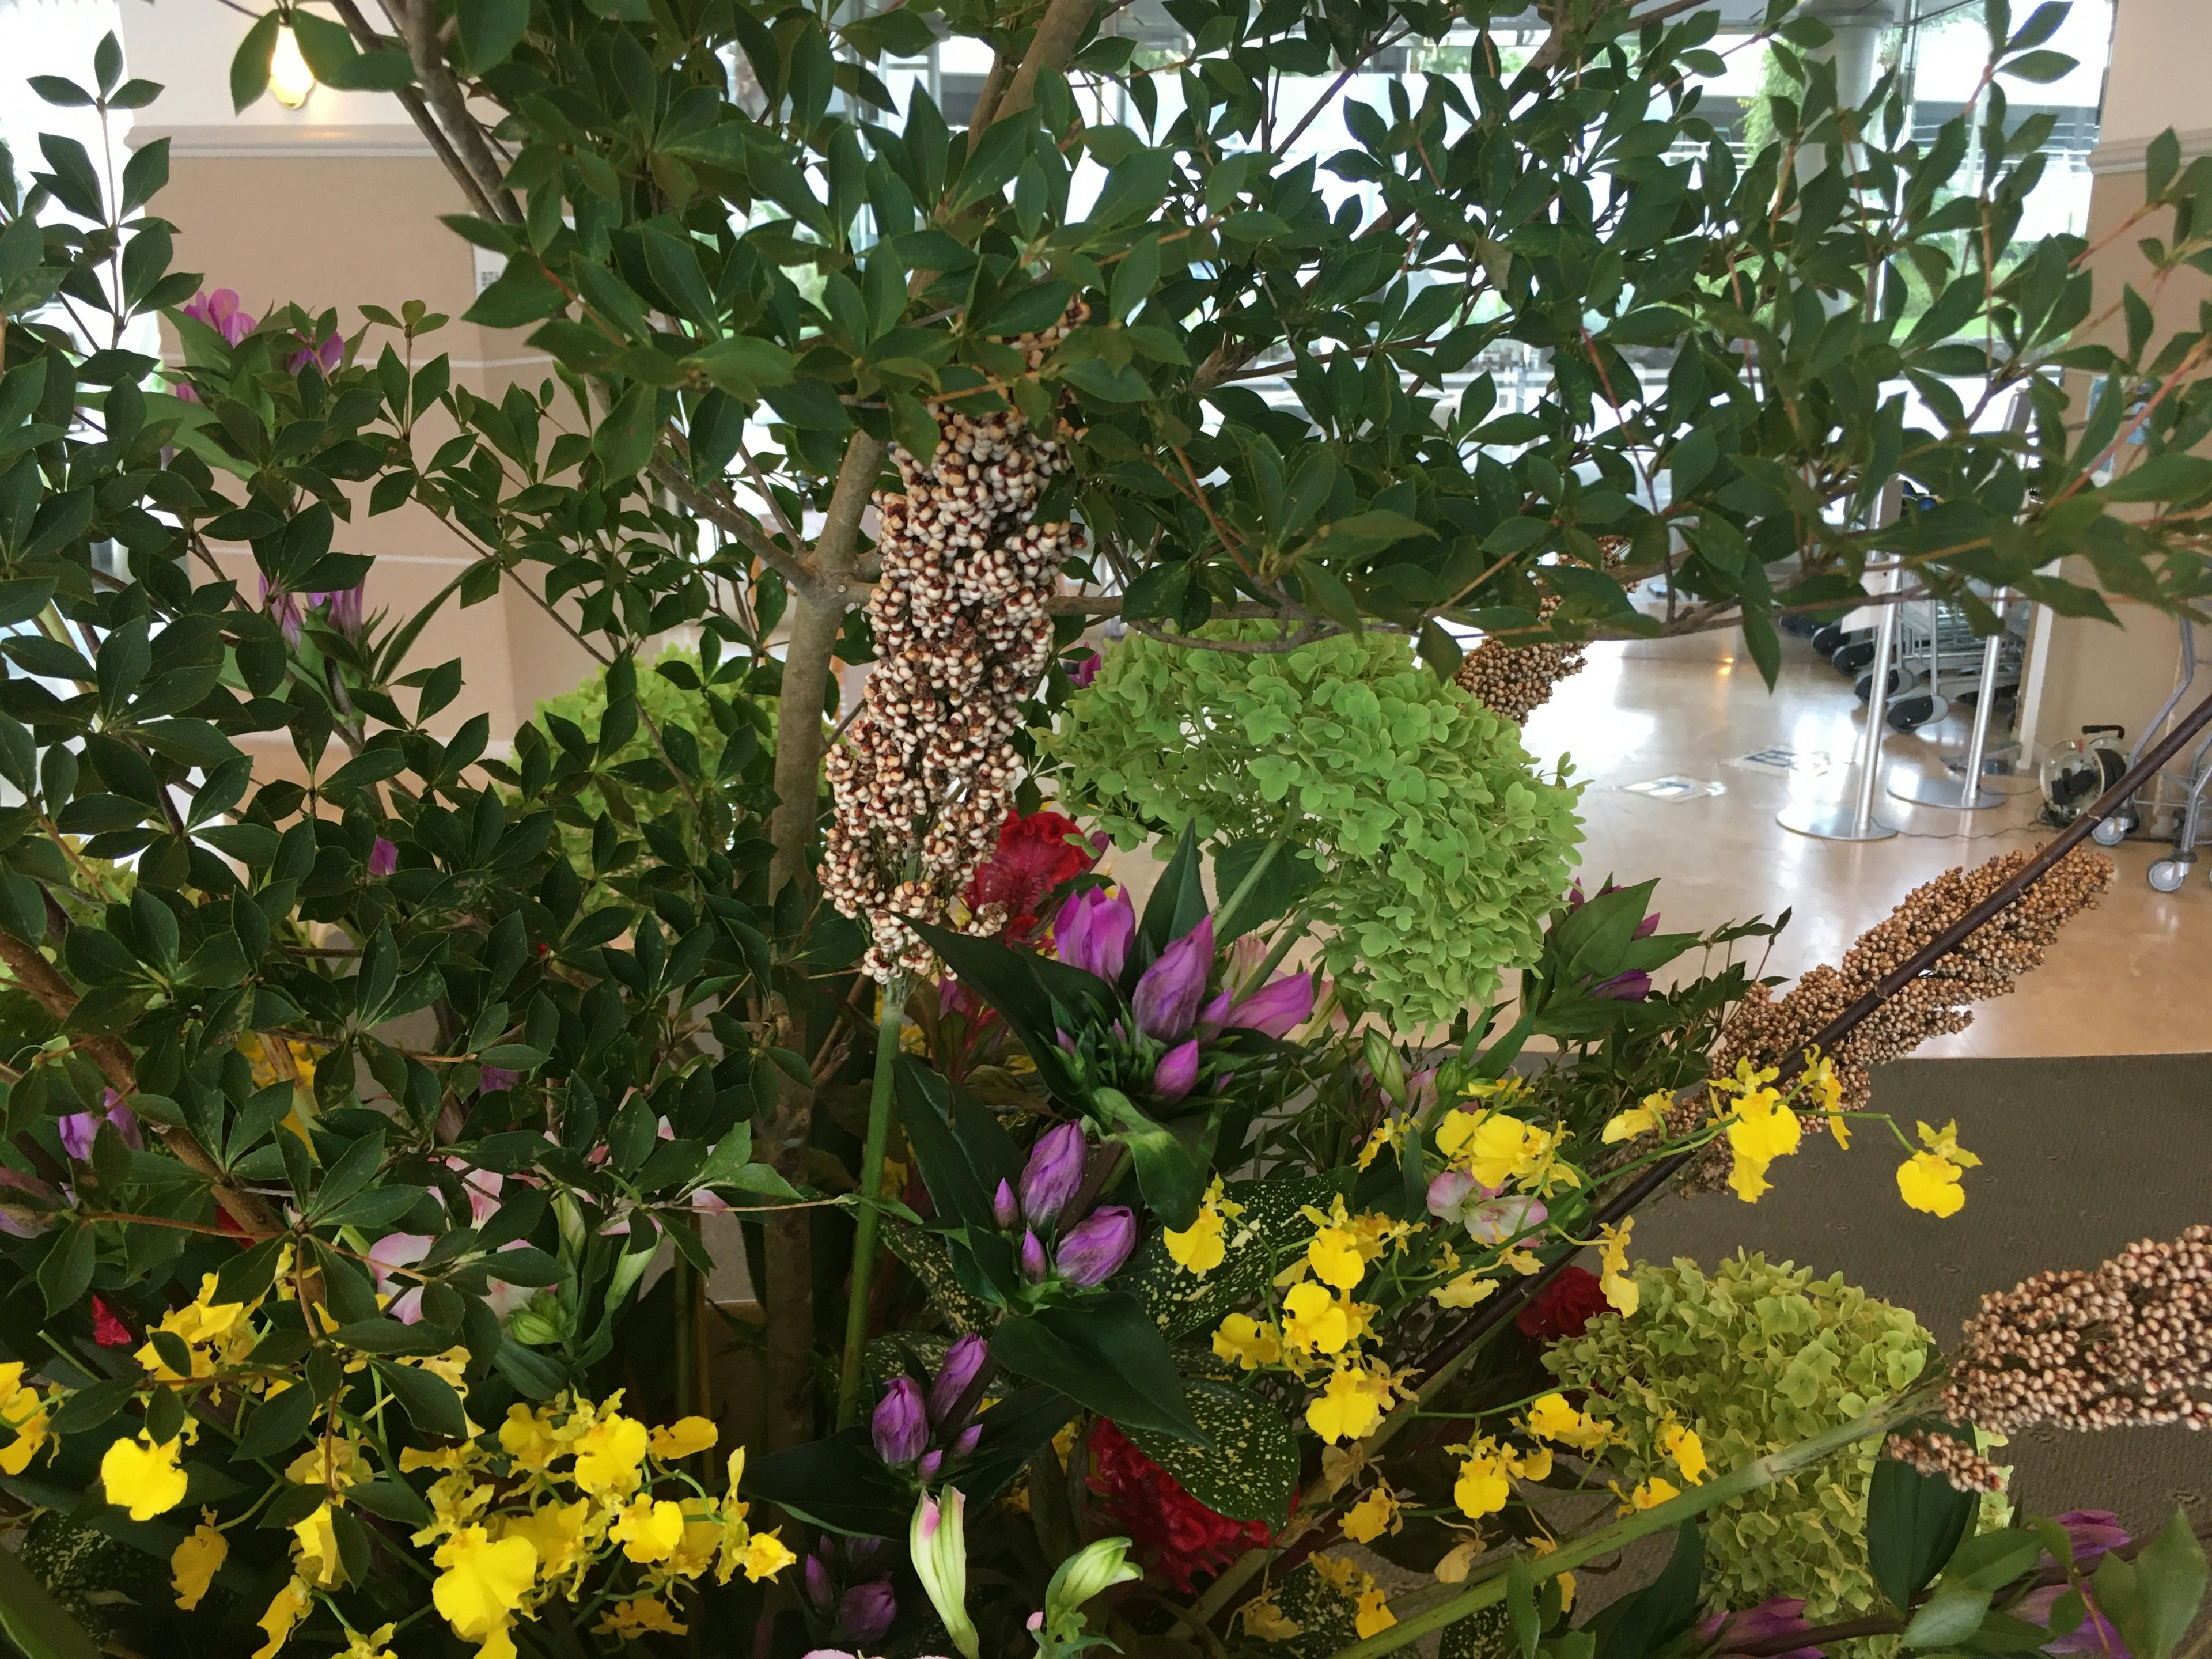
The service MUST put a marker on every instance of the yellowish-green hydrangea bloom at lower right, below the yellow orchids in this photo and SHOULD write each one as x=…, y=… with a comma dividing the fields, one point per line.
x=1755, y=1357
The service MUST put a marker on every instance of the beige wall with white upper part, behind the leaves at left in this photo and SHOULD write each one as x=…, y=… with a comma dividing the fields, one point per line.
x=335, y=207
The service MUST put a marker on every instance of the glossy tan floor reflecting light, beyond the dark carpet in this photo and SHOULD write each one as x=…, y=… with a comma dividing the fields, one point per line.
x=2127, y=979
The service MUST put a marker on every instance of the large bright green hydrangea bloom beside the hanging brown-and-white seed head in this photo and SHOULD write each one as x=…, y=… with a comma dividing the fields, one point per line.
x=1439, y=848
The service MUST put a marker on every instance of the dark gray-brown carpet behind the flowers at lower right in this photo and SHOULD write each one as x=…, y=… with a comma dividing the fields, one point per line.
x=2078, y=1160
